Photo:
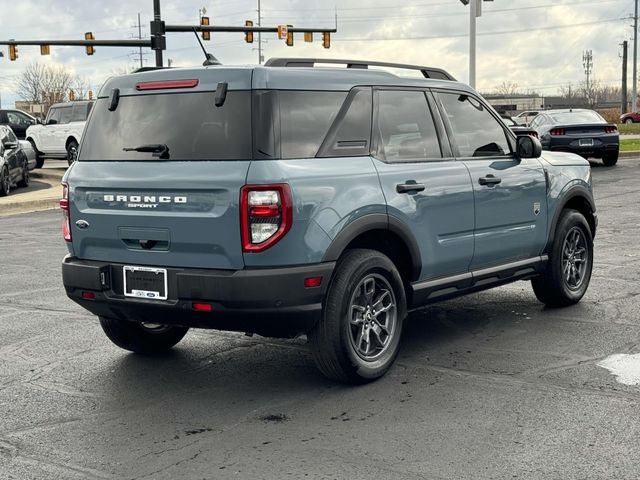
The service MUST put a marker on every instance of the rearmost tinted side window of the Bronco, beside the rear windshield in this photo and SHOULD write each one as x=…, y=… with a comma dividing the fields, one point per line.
x=305, y=118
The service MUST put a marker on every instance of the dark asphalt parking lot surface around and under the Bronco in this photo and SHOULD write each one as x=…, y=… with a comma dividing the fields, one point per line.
x=489, y=386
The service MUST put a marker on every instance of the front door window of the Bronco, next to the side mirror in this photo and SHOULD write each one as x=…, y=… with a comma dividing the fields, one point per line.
x=476, y=131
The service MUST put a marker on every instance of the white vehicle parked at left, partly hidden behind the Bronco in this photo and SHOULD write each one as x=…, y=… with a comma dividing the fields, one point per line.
x=61, y=132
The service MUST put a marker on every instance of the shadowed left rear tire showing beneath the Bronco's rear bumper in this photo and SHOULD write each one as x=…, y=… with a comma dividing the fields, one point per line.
x=139, y=338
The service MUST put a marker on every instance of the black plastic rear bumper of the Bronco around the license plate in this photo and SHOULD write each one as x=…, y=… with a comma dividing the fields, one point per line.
x=271, y=302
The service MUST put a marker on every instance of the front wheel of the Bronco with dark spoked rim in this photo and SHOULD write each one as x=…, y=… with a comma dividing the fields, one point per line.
x=553, y=288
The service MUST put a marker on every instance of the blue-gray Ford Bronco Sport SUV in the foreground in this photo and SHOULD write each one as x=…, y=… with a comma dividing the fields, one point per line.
x=292, y=199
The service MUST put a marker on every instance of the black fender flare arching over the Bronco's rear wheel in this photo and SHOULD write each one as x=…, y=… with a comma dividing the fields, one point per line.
x=376, y=221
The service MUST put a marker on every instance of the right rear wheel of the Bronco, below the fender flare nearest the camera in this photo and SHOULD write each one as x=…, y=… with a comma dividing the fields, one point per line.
x=333, y=340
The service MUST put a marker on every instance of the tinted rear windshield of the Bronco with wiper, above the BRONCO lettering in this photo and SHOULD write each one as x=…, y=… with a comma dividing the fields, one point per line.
x=191, y=126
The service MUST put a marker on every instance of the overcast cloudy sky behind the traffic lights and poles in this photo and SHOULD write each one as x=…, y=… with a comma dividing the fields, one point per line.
x=537, y=44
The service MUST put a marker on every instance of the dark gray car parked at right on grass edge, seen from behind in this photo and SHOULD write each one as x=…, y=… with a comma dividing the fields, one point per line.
x=579, y=131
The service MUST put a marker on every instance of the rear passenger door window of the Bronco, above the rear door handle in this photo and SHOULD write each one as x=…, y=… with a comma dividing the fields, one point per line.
x=405, y=127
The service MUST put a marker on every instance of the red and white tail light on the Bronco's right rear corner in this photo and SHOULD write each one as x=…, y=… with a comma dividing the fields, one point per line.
x=265, y=215
